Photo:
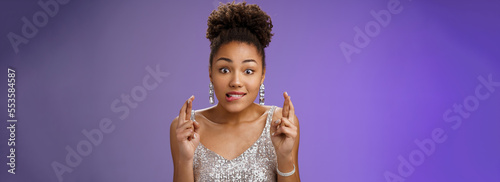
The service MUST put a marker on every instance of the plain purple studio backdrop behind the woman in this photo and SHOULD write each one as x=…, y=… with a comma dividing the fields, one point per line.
x=385, y=90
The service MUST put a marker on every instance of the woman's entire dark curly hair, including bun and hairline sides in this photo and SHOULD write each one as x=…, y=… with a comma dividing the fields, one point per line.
x=239, y=22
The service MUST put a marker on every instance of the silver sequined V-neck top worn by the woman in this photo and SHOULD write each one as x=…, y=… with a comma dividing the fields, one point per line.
x=257, y=163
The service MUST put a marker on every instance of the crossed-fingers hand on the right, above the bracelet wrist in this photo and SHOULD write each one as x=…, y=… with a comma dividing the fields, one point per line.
x=284, y=130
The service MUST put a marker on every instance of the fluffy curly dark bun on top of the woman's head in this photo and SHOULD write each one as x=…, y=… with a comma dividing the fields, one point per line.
x=240, y=16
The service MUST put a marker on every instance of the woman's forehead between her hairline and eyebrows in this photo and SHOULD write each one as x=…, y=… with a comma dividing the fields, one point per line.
x=238, y=52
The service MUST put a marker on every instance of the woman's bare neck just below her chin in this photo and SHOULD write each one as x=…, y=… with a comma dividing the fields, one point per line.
x=222, y=116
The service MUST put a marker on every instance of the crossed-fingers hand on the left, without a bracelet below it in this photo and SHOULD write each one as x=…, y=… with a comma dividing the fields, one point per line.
x=186, y=132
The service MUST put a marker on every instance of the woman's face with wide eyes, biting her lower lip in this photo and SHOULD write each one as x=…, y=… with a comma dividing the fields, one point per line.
x=236, y=74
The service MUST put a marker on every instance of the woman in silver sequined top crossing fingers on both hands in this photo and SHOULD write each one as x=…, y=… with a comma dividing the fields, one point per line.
x=237, y=139
